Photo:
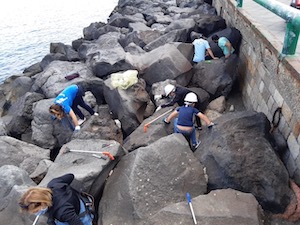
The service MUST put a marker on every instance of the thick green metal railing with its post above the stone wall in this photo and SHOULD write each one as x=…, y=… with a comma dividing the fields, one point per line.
x=292, y=17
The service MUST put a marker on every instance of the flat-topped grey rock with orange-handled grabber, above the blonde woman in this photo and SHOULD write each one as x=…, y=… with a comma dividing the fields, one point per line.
x=90, y=172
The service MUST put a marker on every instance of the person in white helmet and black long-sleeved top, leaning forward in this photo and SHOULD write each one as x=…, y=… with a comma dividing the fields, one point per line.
x=178, y=93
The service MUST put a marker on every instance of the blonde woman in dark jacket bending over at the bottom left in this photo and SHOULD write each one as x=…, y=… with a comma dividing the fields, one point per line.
x=59, y=201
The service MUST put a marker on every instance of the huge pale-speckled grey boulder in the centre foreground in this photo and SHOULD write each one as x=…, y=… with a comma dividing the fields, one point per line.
x=150, y=178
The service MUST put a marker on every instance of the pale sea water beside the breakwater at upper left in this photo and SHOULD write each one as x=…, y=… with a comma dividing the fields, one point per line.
x=28, y=27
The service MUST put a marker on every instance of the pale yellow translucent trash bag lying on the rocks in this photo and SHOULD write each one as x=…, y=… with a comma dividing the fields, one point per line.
x=125, y=79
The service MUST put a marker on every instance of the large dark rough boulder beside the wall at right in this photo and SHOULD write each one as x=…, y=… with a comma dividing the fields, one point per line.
x=237, y=154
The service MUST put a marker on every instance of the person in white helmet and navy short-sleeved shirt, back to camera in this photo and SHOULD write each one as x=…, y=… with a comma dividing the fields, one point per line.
x=184, y=119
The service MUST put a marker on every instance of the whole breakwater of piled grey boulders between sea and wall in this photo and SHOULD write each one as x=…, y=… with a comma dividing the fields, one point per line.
x=235, y=176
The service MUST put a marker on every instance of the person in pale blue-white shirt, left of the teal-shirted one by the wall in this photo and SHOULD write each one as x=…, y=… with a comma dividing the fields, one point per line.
x=201, y=48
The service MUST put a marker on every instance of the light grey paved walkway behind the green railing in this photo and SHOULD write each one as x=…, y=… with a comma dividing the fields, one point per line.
x=269, y=22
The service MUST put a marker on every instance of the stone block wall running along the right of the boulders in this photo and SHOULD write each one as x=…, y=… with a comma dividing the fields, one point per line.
x=268, y=81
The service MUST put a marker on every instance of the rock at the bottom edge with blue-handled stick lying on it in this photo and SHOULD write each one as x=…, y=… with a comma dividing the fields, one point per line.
x=220, y=207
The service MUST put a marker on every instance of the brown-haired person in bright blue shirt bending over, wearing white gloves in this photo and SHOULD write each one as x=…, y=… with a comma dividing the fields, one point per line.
x=67, y=102
